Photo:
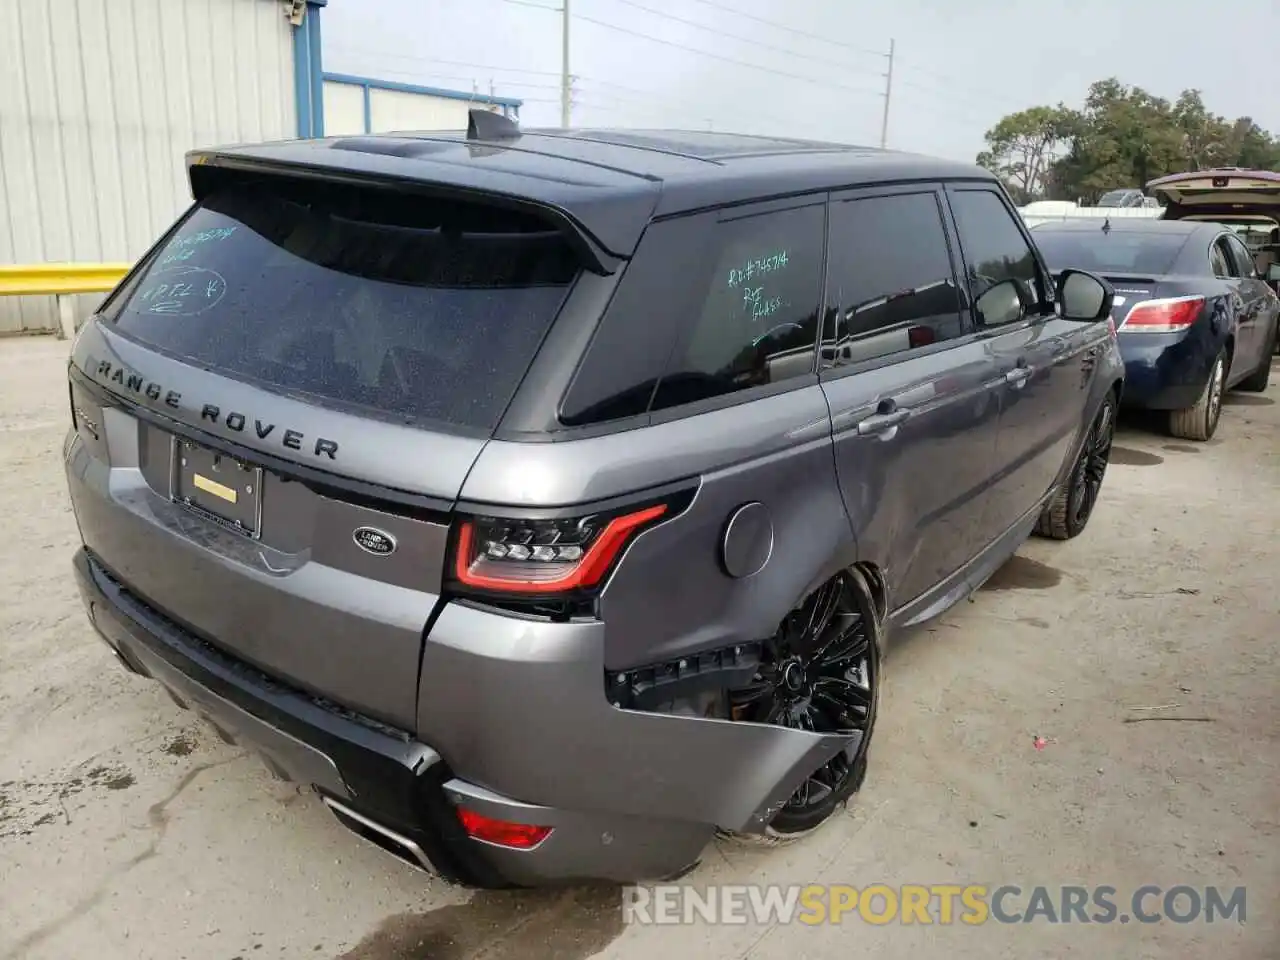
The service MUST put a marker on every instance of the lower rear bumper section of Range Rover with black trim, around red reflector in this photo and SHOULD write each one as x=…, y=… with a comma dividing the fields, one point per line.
x=372, y=774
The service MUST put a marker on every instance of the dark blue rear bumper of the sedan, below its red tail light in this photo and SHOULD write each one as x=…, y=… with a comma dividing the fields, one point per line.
x=1165, y=372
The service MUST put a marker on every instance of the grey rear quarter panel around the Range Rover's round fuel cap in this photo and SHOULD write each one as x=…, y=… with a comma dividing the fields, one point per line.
x=670, y=596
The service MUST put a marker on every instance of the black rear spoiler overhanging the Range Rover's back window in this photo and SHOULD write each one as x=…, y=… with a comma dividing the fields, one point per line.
x=209, y=171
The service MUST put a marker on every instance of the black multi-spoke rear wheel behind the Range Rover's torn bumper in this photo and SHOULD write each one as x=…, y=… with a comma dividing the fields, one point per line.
x=836, y=692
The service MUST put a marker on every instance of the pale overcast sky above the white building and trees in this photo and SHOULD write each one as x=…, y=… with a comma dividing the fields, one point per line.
x=816, y=68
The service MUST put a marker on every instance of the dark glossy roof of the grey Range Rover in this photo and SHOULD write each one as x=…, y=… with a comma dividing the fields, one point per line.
x=609, y=182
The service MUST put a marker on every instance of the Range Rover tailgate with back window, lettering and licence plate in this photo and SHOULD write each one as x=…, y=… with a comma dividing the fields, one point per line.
x=277, y=415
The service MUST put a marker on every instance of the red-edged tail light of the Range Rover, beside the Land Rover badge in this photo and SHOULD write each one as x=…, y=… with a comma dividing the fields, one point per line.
x=548, y=556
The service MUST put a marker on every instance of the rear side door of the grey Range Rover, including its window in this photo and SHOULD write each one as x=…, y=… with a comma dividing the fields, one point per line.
x=912, y=392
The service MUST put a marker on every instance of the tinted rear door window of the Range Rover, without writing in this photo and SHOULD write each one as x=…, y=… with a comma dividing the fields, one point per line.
x=890, y=285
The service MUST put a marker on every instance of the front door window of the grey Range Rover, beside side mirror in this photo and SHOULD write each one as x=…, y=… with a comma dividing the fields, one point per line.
x=995, y=252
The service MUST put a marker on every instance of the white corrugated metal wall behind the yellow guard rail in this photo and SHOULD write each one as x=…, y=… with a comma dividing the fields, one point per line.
x=99, y=100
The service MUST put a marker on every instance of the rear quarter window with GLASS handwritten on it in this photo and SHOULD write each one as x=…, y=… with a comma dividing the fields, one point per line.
x=755, y=321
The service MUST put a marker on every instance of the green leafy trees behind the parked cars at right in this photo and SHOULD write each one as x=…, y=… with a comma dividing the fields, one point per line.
x=1123, y=138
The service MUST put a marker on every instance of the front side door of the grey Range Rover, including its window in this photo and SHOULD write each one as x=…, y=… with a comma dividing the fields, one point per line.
x=1043, y=362
